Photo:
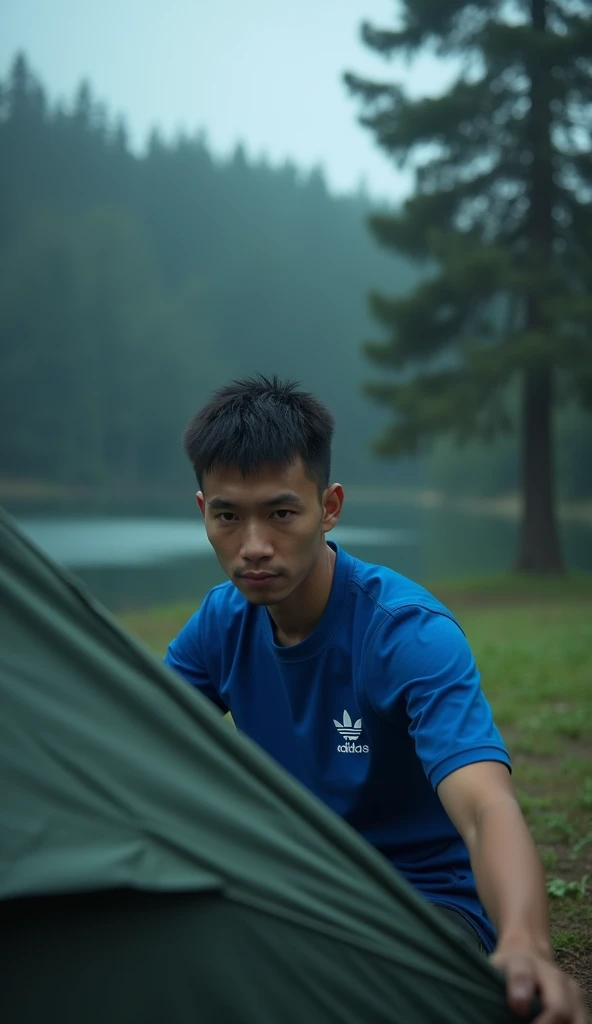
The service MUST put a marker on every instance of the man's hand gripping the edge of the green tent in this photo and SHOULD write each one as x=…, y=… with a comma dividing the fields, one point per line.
x=530, y=975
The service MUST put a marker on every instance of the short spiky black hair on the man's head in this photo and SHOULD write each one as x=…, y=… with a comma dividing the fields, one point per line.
x=261, y=421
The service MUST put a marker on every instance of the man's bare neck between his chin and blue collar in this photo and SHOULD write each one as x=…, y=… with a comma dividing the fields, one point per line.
x=295, y=619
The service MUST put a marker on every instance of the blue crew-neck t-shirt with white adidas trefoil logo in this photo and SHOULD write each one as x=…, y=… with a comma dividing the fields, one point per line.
x=370, y=712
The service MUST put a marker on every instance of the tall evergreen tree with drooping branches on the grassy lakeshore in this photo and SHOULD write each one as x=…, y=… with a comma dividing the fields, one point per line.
x=502, y=212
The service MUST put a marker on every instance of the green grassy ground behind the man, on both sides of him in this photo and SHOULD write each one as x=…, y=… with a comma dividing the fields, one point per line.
x=533, y=643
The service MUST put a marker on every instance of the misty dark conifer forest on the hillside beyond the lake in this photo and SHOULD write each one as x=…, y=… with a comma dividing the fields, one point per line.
x=131, y=286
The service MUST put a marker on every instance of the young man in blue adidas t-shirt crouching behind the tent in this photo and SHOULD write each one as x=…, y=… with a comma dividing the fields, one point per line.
x=359, y=682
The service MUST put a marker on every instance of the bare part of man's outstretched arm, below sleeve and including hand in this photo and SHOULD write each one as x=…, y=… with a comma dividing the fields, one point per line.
x=481, y=801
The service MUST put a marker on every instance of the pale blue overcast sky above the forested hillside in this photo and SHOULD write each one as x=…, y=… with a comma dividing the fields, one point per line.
x=266, y=73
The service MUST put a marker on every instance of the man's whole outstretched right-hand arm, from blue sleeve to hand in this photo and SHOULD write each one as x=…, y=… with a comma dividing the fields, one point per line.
x=425, y=663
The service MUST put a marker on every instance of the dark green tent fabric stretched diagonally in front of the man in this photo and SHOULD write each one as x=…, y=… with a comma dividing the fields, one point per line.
x=155, y=866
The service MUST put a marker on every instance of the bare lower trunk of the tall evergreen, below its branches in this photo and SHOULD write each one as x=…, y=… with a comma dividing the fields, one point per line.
x=539, y=549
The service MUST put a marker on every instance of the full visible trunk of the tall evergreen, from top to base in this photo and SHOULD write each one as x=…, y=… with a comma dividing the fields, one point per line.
x=539, y=549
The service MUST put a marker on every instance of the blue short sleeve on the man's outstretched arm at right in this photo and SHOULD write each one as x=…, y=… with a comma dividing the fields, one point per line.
x=421, y=665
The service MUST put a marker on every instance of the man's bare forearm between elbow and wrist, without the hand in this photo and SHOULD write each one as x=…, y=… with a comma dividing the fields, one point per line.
x=510, y=877
